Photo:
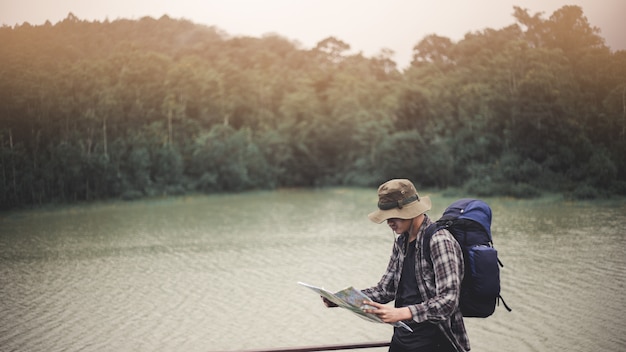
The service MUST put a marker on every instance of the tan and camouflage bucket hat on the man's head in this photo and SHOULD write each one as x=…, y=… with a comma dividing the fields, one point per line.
x=398, y=199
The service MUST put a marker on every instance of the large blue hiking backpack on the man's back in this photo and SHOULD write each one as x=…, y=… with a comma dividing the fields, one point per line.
x=469, y=221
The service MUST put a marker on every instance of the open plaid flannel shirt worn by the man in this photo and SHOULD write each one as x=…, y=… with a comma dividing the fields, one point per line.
x=439, y=283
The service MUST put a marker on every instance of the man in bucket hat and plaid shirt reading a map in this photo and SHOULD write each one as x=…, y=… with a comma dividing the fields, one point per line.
x=426, y=293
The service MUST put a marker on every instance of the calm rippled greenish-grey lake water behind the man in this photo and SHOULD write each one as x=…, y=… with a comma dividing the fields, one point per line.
x=219, y=273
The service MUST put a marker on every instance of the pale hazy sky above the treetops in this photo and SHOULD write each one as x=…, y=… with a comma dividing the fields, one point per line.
x=366, y=25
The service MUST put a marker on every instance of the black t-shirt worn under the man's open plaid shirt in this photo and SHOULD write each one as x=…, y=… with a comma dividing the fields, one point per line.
x=408, y=294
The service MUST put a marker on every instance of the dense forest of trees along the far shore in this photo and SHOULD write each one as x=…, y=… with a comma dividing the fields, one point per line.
x=127, y=109
